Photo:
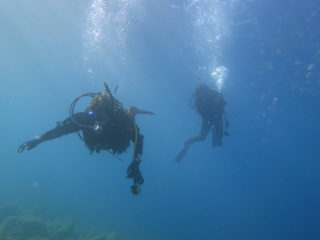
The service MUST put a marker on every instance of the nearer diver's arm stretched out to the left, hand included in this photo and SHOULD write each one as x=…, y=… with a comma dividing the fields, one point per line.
x=66, y=127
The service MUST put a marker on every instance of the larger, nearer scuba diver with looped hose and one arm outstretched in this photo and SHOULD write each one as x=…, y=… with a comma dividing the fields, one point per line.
x=105, y=125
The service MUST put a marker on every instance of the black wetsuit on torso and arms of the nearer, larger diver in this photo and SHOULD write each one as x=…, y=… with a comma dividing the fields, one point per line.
x=113, y=134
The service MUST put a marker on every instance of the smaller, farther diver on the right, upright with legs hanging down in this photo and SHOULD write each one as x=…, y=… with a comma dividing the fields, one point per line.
x=209, y=103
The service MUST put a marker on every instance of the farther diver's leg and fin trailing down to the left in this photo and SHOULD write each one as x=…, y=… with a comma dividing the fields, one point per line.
x=205, y=127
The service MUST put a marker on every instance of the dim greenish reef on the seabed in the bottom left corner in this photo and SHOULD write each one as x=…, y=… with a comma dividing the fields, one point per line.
x=35, y=223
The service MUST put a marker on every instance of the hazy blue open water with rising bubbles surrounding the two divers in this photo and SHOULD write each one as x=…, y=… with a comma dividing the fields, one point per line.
x=262, y=184
